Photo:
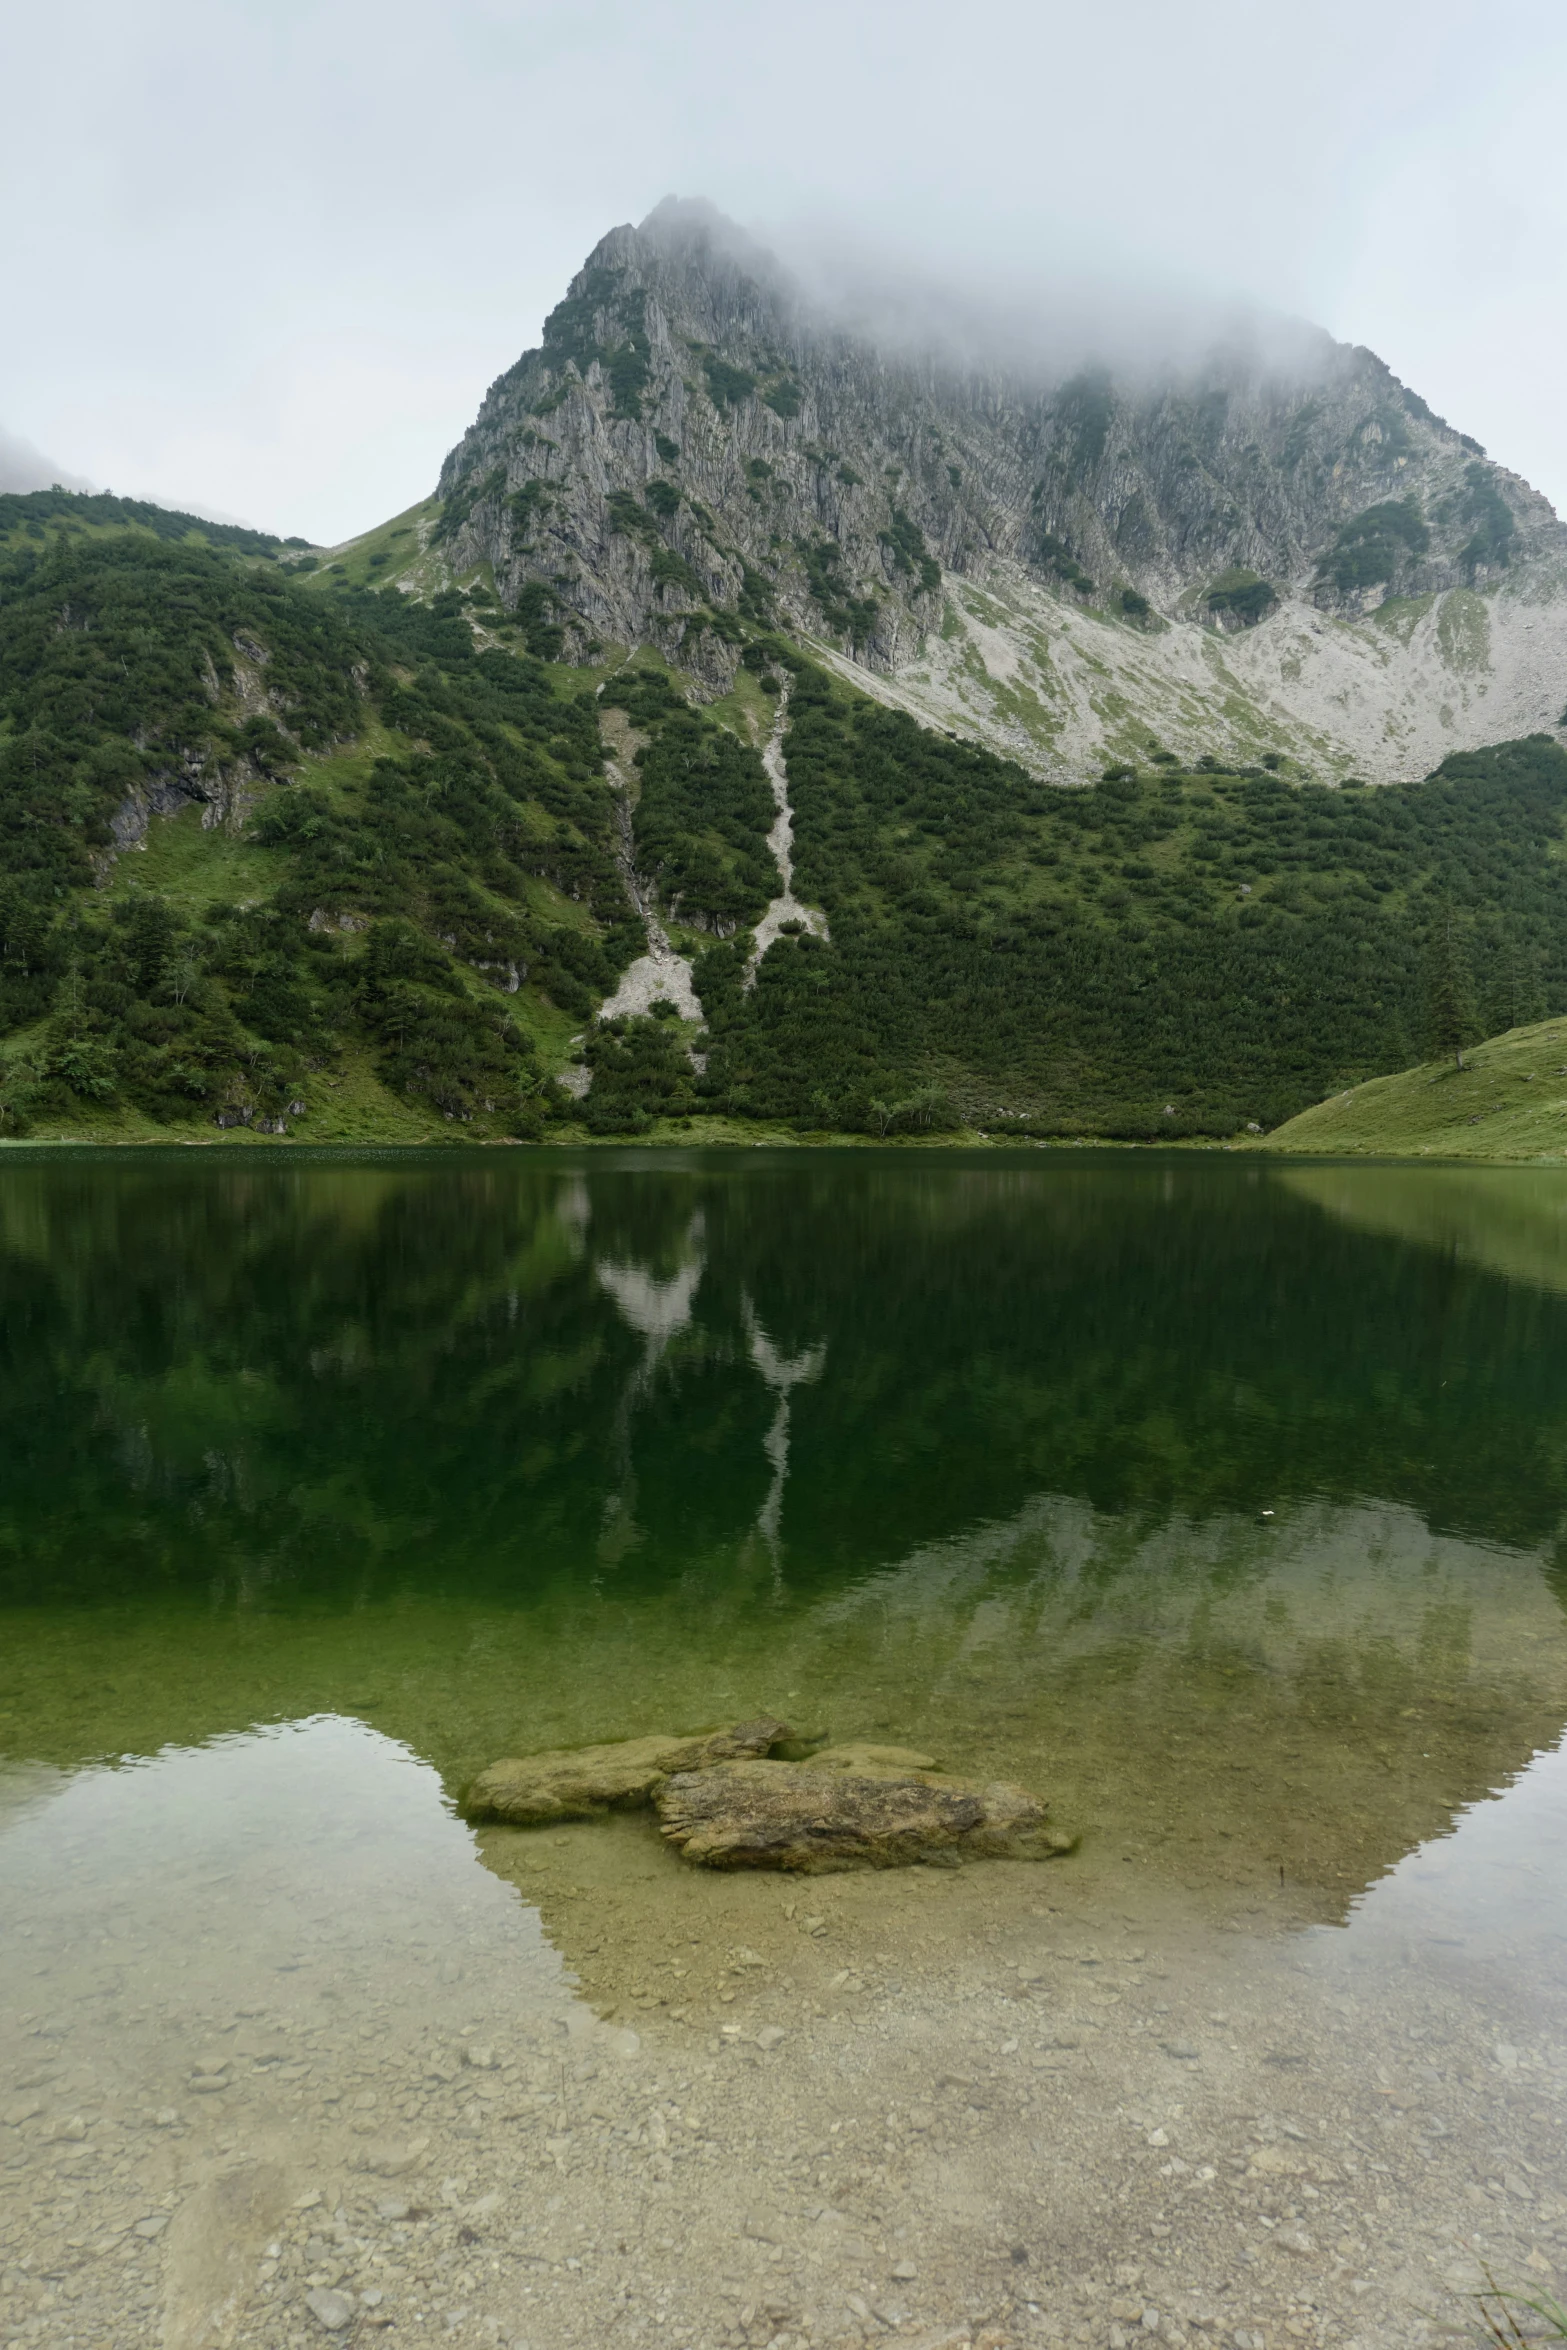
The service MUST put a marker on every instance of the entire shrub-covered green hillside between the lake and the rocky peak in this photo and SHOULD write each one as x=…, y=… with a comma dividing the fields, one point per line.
x=288, y=854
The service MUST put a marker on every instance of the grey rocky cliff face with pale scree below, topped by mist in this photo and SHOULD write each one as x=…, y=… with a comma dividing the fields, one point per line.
x=1256, y=553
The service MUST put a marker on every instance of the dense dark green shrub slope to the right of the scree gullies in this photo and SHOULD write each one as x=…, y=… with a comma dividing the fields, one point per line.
x=1162, y=953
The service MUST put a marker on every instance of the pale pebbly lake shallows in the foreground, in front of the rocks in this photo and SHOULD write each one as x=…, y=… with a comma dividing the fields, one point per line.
x=283, y=2062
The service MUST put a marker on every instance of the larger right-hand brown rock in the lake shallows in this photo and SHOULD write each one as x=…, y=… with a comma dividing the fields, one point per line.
x=812, y=1820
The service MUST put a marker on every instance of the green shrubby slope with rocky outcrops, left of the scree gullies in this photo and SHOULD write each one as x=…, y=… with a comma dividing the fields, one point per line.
x=349, y=864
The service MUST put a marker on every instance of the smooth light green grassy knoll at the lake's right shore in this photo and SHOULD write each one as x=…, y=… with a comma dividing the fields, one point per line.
x=1509, y=1101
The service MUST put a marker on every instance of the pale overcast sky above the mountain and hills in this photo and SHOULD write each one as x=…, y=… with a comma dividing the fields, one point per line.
x=267, y=255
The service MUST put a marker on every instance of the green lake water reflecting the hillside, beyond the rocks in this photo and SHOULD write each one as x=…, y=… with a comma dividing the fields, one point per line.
x=1108, y=1470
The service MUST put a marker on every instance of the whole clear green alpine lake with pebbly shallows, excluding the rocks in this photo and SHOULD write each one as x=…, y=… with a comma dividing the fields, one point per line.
x=1218, y=1500
